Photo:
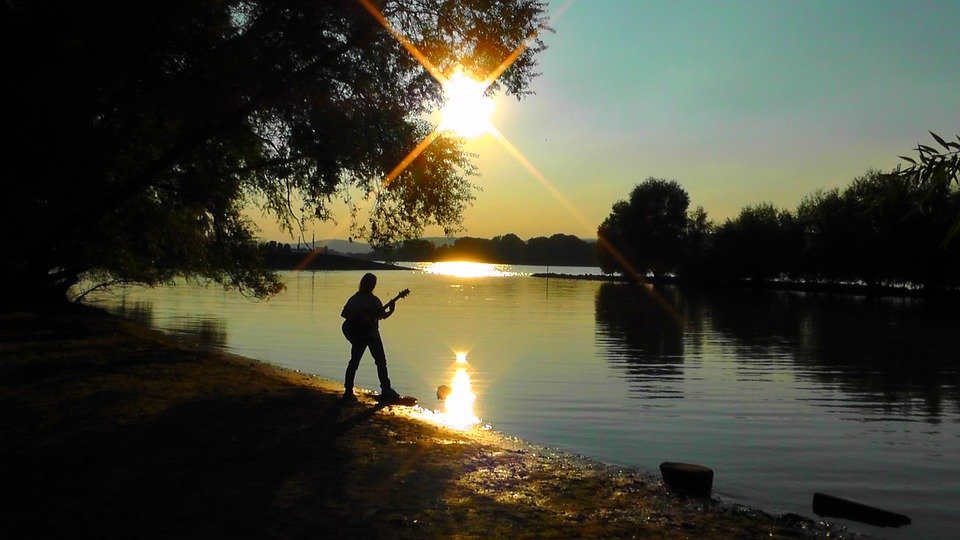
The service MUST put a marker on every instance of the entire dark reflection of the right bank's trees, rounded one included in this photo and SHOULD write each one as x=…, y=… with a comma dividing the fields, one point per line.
x=888, y=356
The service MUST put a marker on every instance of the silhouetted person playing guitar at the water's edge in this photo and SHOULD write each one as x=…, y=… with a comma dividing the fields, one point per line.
x=362, y=314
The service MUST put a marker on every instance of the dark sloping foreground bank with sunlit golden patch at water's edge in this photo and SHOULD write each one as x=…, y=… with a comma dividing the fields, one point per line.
x=111, y=430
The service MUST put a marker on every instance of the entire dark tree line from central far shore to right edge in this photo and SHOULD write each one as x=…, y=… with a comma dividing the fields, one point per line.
x=885, y=228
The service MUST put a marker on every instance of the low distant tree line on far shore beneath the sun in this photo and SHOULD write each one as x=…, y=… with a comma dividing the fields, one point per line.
x=558, y=249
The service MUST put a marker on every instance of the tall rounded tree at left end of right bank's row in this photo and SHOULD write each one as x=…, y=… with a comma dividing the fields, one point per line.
x=648, y=231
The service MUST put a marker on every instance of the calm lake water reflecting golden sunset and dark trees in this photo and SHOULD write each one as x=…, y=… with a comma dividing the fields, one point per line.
x=782, y=394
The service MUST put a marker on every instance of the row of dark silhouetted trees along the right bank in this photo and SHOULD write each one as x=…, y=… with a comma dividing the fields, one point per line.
x=884, y=228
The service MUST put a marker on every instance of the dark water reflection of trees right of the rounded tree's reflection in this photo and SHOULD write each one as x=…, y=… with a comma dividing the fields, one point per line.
x=890, y=356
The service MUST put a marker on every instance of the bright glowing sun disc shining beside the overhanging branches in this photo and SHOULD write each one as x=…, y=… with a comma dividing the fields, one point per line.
x=467, y=111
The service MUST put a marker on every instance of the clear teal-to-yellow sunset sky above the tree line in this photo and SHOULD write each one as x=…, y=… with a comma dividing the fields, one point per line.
x=741, y=102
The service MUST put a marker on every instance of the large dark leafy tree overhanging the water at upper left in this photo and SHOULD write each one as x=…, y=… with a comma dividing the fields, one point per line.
x=141, y=130
